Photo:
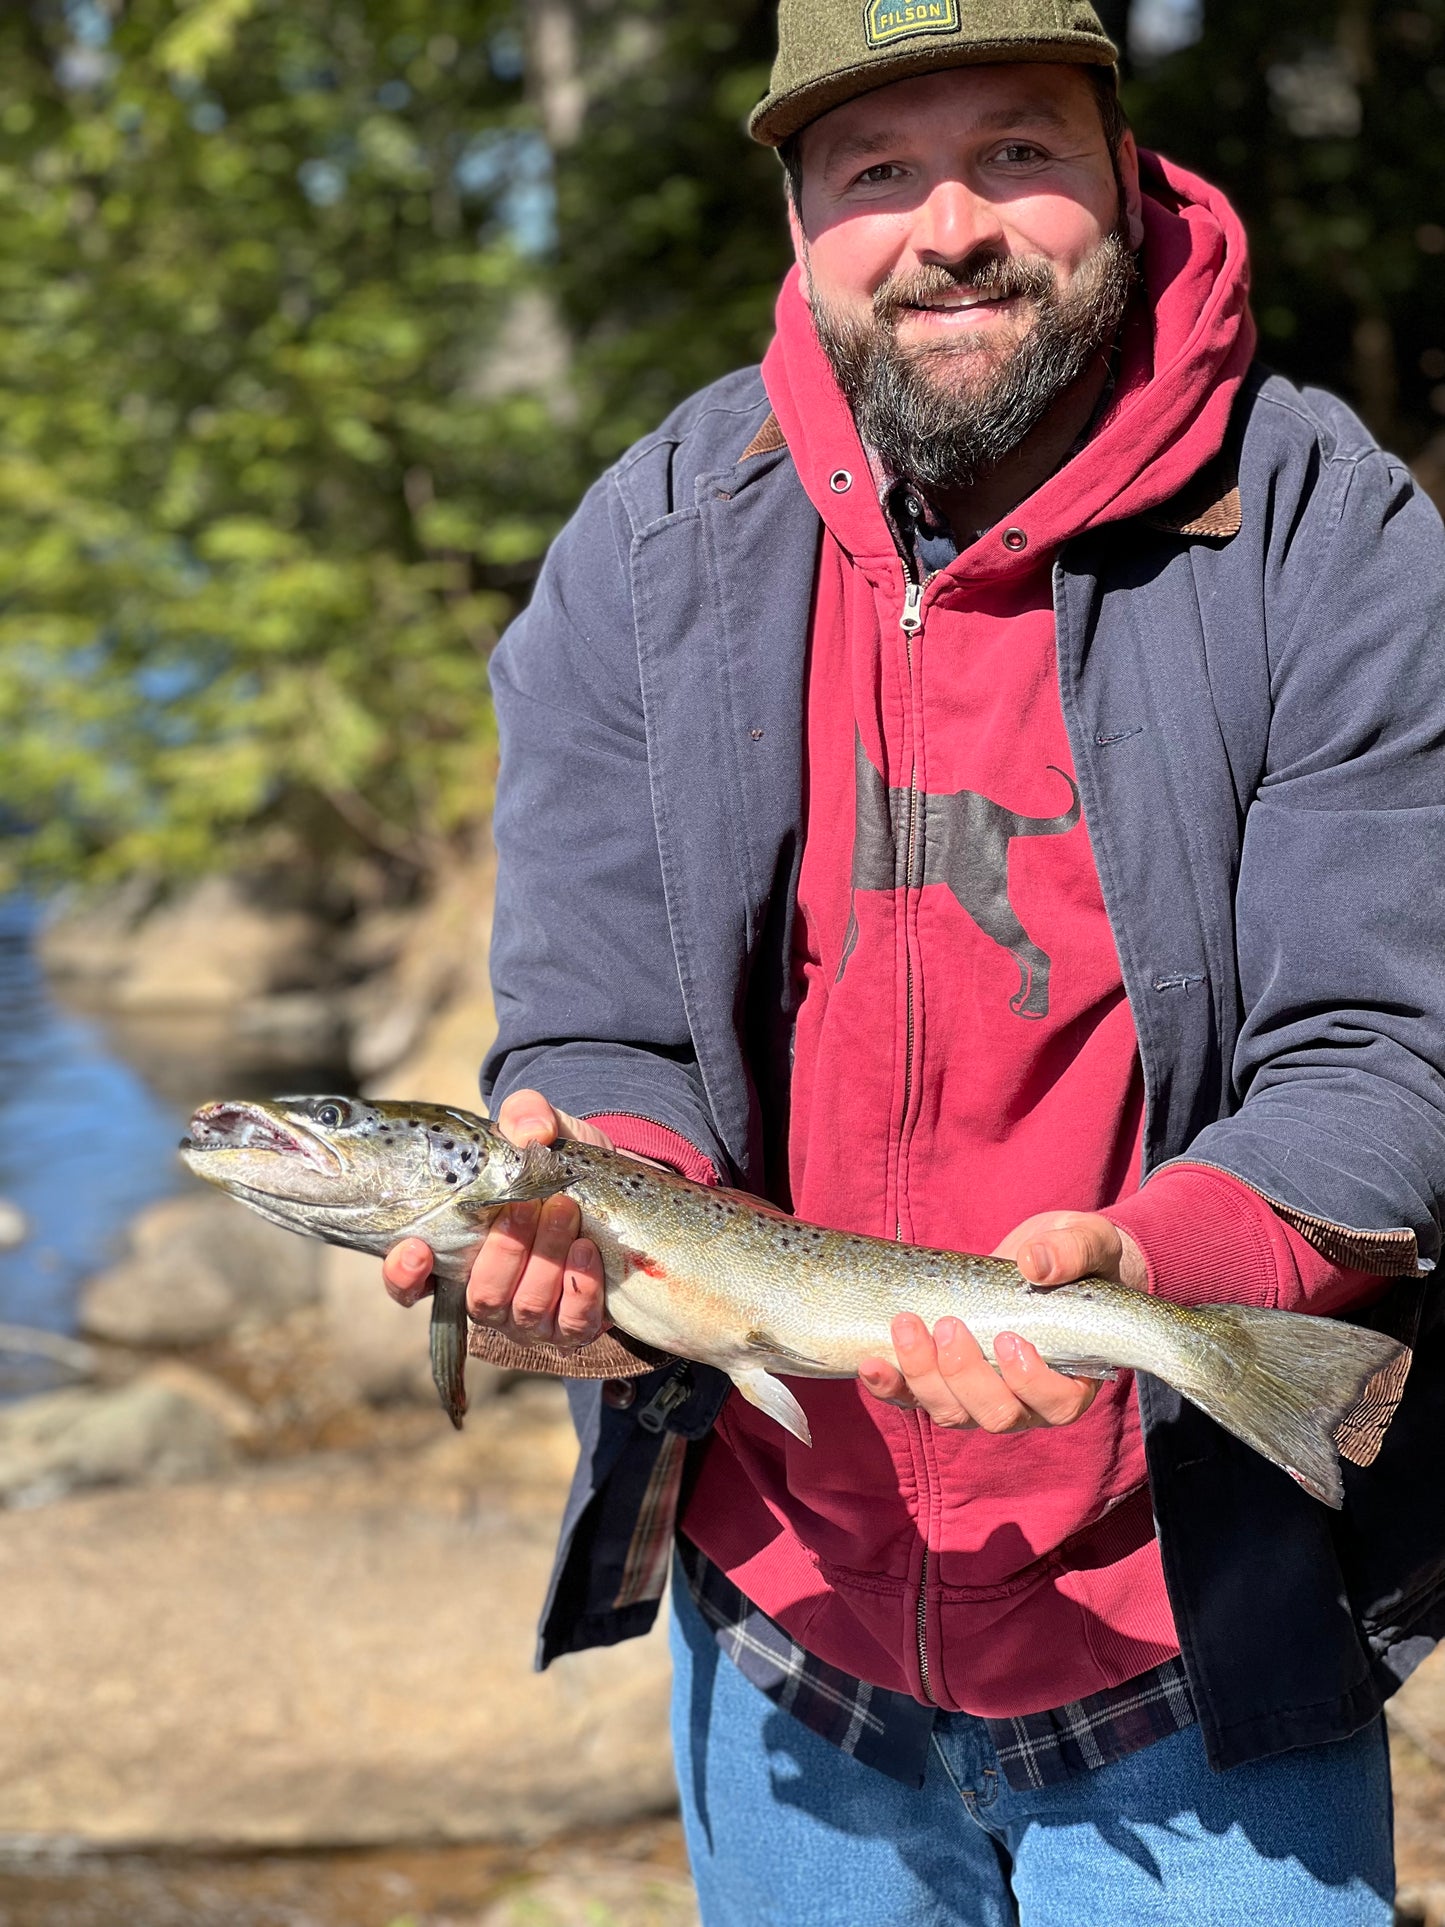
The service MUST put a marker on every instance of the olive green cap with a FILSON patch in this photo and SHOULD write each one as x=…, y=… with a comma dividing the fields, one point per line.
x=831, y=51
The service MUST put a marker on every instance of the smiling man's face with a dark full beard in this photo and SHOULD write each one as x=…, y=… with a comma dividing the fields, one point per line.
x=966, y=250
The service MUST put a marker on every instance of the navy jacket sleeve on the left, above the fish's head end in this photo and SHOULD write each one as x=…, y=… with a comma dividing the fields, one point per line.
x=583, y=966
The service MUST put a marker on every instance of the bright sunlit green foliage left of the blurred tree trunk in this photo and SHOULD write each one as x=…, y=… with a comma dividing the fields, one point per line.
x=261, y=504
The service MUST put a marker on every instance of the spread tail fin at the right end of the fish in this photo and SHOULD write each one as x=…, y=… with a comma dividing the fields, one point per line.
x=1303, y=1392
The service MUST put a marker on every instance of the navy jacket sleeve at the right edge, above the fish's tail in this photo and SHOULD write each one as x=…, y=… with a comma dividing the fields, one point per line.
x=1340, y=905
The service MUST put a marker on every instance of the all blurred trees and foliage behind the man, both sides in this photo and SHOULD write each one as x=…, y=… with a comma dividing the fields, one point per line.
x=317, y=315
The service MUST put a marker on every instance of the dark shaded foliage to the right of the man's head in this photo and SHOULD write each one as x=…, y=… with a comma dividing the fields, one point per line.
x=1327, y=128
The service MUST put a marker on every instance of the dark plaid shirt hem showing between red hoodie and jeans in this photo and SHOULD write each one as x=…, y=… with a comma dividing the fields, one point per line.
x=889, y=1731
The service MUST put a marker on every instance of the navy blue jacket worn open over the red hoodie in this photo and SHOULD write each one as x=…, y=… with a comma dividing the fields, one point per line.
x=1255, y=695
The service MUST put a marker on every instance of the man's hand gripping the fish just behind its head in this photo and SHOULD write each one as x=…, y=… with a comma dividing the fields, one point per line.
x=533, y=1279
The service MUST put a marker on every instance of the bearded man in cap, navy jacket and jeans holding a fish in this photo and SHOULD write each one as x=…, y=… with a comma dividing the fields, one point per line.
x=980, y=781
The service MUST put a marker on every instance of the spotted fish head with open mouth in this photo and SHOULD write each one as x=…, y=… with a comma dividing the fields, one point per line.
x=346, y=1165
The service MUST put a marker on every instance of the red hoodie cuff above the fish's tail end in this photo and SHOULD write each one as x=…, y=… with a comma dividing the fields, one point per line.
x=1209, y=1240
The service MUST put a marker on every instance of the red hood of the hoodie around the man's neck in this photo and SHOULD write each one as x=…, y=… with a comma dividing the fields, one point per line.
x=1186, y=348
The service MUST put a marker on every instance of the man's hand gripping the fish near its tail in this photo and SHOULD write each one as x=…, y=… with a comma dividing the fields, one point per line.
x=945, y=1371
